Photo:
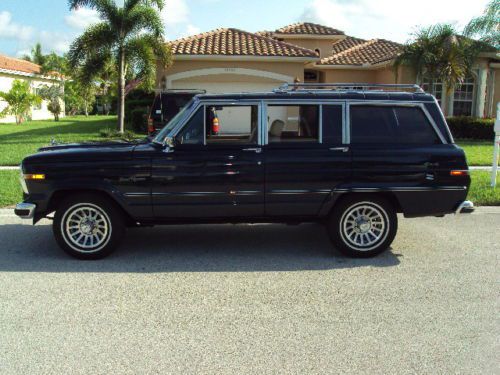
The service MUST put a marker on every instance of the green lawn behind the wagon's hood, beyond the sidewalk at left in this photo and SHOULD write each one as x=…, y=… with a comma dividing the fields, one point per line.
x=18, y=141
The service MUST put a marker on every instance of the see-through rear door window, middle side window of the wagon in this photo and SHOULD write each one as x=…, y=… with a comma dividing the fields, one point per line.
x=292, y=123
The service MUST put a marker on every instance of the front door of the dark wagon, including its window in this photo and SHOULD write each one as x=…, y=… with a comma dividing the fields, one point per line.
x=212, y=173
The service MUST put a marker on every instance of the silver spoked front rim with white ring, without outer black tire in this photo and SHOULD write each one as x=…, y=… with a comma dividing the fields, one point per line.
x=86, y=227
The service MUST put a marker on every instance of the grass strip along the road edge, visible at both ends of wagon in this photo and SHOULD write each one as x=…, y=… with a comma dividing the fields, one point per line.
x=480, y=192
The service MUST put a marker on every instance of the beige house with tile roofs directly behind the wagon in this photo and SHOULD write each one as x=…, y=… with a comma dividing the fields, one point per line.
x=232, y=60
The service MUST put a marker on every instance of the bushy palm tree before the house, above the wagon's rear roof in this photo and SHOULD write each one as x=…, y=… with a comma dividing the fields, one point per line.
x=439, y=53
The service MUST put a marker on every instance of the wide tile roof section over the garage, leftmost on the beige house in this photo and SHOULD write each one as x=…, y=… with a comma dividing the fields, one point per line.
x=234, y=42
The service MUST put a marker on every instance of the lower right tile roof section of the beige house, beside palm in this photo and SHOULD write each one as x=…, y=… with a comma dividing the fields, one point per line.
x=353, y=51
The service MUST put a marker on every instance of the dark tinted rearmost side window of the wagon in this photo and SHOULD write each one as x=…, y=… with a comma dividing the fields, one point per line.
x=391, y=125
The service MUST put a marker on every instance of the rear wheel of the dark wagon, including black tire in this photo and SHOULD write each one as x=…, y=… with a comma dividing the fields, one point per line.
x=362, y=226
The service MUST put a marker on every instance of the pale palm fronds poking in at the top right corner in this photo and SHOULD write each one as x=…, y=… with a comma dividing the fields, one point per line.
x=487, y=26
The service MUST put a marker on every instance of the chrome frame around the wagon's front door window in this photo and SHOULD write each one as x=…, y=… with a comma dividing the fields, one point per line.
x=223, y=102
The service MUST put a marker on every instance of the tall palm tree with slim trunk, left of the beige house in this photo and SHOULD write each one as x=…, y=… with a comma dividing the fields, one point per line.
x=131, y=37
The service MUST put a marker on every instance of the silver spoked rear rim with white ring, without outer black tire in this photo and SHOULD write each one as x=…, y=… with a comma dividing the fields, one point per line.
x=364, y=226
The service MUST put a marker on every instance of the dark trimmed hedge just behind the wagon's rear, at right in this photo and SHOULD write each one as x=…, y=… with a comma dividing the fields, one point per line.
x=471, y=128
